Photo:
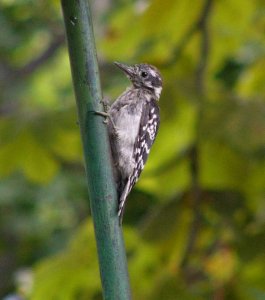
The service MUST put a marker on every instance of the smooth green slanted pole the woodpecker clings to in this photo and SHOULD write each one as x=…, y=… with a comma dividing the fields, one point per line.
x=102, y=191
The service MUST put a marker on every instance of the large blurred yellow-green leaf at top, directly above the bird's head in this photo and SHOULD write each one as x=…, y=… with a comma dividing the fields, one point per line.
x=151, y=34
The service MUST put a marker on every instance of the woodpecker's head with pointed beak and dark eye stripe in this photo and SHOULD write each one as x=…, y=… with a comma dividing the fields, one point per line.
x=143, y=76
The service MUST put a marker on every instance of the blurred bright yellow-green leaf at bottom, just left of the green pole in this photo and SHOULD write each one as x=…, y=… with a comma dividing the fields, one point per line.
x=77, y=266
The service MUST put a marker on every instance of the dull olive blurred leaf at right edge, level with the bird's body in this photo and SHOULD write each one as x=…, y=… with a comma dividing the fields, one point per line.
x=241, y=125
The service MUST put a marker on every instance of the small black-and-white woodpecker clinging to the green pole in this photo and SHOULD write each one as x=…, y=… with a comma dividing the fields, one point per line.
x=133, y=125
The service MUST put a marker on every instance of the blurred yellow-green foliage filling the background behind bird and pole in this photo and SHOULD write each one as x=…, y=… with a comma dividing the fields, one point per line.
x=194, y=224
